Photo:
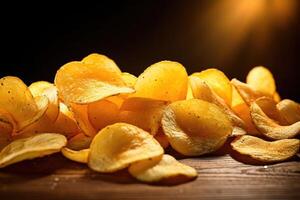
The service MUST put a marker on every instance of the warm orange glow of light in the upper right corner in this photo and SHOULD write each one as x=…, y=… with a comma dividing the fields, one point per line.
x=231, y=22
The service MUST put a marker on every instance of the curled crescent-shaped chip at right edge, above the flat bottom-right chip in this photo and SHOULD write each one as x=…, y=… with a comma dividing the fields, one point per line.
x=269, y=127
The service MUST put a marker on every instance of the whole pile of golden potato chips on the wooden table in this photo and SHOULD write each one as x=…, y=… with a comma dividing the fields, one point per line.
x=111, y=120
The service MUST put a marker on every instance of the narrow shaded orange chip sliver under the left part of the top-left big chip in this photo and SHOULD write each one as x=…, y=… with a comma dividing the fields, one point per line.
x=81, y=115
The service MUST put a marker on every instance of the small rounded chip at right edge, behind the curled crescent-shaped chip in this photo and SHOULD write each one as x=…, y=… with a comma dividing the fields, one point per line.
x=290, y=110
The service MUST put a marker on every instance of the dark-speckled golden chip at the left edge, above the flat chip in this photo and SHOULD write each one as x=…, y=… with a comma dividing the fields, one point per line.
x=17, y=100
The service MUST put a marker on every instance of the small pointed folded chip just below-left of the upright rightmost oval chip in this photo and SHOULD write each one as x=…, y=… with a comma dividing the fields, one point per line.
x=247, y=93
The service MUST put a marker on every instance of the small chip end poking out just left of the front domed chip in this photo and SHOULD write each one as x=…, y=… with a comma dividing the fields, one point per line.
x=77, y=156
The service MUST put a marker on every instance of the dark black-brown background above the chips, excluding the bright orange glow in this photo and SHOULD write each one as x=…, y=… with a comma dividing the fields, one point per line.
x=36, y=41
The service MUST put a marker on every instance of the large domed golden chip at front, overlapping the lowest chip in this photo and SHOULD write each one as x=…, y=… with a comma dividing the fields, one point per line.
x=119, y=145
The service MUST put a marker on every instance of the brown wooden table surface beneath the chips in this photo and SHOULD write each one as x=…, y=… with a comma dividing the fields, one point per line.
x=220, y=177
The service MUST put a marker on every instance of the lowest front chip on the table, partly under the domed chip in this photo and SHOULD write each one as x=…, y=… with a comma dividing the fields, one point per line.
x=159, y=169
